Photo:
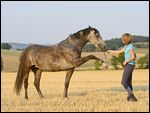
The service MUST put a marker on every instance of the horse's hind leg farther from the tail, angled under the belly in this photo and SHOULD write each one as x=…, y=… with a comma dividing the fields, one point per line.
x=37, y=73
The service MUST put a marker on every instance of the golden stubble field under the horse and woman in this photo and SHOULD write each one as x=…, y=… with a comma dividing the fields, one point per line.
x=88, y=91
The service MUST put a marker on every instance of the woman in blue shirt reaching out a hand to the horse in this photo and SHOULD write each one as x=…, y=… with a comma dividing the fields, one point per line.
x=129, y=64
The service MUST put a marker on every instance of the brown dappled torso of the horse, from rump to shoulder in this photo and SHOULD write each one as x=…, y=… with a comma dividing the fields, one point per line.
x=52, y=58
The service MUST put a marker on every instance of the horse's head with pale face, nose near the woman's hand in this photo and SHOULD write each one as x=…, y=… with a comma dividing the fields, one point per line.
x=95, y=38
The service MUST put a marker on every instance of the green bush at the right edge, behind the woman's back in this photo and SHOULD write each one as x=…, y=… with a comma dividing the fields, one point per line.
x=143, y=62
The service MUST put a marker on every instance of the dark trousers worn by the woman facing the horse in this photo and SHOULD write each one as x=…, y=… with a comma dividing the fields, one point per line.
x=127, y=77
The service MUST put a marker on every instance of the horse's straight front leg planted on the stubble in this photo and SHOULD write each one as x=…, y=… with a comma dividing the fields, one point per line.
x=67, y=80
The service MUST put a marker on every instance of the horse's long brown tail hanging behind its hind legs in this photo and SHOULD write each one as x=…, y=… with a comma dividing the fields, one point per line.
x=19, y=80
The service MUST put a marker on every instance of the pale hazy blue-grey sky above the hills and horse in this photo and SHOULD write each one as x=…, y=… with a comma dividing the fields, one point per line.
x=50, y=22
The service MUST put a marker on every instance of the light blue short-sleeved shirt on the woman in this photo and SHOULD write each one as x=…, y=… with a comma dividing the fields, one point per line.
x=127, y=53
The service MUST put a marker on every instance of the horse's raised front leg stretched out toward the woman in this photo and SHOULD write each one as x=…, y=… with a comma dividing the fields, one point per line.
x=85, y=59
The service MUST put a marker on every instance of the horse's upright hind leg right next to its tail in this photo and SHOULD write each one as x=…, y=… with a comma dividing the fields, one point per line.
x=26, y=83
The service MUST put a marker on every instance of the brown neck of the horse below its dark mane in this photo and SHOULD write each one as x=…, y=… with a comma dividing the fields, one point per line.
x=75, y=42
